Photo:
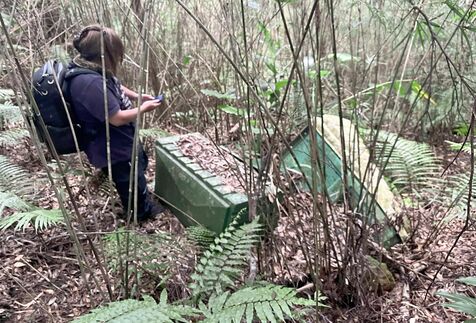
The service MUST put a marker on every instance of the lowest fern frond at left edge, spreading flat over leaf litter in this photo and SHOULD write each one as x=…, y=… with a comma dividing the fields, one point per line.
x=40, y=218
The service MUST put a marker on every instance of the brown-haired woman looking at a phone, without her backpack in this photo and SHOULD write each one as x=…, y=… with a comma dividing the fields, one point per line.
x=87, y=100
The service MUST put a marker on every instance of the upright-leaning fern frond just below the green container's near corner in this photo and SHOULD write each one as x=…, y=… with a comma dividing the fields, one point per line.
x=224, y=260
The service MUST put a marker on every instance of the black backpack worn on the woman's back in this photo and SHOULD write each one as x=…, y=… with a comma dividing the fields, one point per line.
x=47, y=82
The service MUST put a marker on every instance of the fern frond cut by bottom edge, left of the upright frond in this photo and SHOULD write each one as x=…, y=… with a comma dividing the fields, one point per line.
x=136, y=311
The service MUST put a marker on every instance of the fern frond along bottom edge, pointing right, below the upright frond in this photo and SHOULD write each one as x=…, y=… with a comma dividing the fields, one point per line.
x=267, y=303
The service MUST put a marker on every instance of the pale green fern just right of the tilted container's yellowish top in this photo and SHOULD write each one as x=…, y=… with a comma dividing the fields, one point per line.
x=412, y=166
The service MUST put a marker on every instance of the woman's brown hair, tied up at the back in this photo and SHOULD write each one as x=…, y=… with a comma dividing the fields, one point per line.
x=88, y=44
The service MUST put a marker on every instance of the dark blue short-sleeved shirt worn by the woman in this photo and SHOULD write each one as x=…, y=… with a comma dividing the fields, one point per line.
x=87, y=98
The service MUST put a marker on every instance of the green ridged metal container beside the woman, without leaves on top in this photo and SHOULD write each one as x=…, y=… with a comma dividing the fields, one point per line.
x=194, y=195
